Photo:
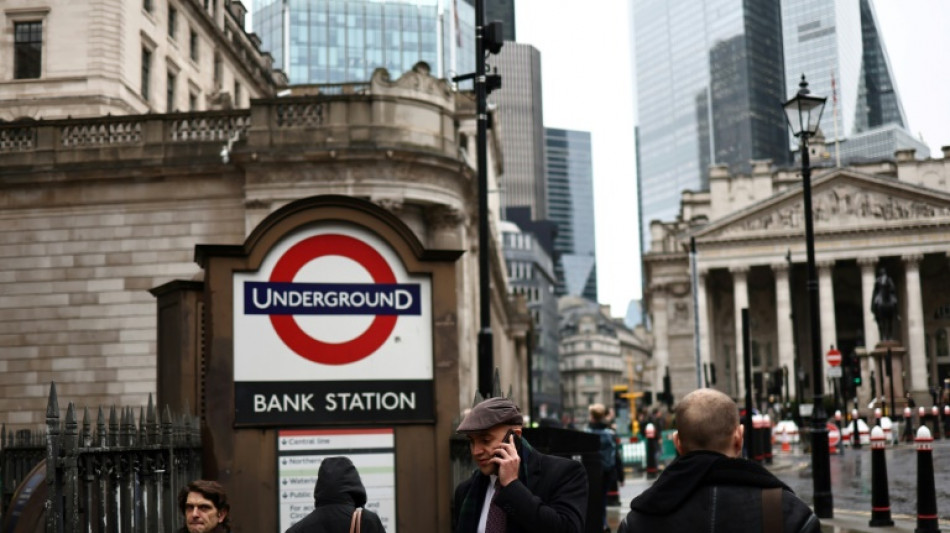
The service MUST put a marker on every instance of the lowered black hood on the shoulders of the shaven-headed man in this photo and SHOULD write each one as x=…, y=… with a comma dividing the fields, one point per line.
x=698, y=469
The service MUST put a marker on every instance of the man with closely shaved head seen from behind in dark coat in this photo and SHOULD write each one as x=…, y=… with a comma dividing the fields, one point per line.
x=709, y=488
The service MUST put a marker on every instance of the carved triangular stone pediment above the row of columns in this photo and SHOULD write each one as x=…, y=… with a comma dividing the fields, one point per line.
x=842, y=200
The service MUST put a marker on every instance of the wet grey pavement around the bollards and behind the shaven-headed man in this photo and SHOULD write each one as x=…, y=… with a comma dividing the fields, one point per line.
x=850, y=485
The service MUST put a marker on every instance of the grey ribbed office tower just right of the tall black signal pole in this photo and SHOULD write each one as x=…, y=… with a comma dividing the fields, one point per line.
x=522, y=128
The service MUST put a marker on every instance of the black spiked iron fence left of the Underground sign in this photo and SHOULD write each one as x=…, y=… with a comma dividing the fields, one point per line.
x=116, y=475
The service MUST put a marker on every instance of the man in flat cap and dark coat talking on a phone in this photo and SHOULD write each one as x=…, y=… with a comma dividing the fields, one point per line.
x=516, y=488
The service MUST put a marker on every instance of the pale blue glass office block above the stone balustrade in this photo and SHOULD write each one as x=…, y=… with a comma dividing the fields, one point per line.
x=334, y=41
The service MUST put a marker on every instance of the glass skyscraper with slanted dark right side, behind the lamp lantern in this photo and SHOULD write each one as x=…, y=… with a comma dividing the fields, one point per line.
x=837, y=45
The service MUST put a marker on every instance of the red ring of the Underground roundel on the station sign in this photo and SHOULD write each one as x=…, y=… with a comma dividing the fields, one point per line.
x=326, y=352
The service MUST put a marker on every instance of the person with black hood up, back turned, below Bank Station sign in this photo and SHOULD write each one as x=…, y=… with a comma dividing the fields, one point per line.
x=338, y=494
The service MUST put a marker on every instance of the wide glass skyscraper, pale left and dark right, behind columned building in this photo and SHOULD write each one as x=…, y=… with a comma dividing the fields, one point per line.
x=710, y=83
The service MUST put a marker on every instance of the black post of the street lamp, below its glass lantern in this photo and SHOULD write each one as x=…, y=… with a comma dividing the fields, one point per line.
x=821, y=467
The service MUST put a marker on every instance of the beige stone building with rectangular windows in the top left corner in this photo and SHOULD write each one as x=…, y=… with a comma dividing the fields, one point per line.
x=63, y=58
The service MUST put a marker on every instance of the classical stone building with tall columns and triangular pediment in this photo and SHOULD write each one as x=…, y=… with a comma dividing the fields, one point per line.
x=750, y=253
